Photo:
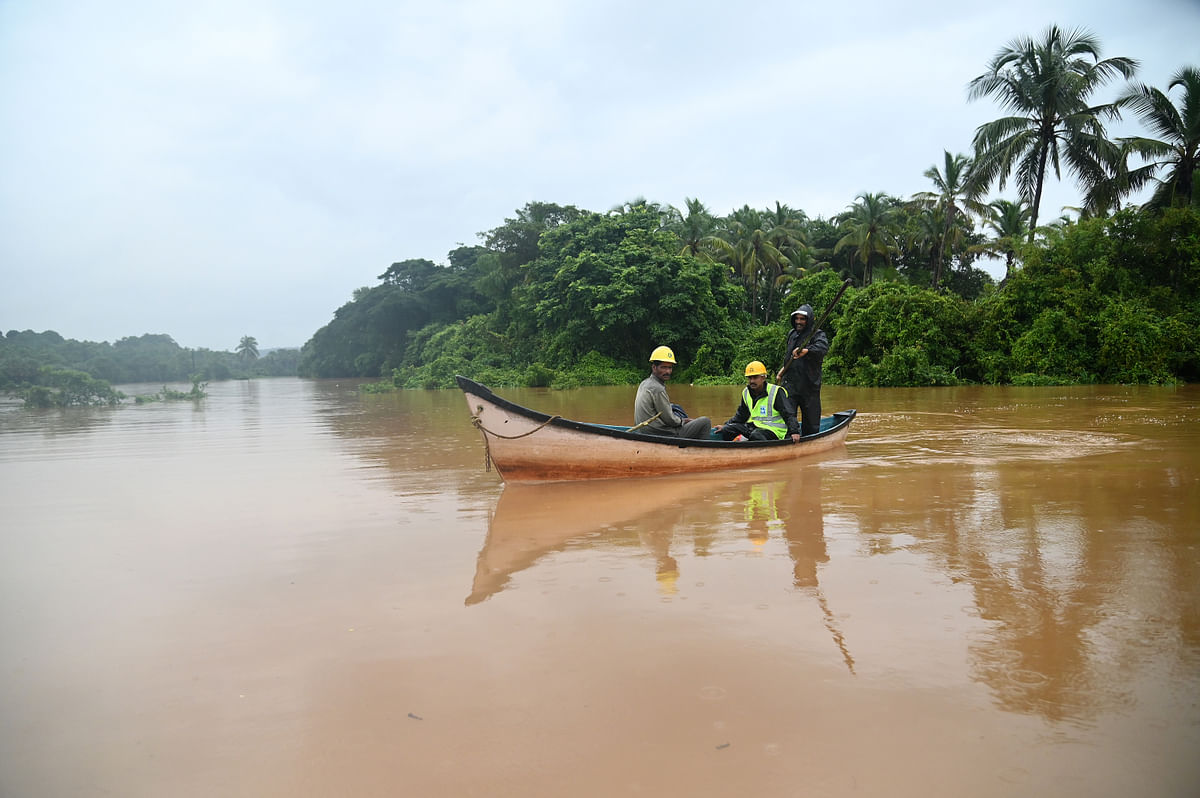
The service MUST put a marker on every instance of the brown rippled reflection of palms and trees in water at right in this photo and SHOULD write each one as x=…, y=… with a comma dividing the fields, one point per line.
x=1077, y=567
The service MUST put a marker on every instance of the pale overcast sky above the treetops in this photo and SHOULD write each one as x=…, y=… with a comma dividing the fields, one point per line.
x=212, y=170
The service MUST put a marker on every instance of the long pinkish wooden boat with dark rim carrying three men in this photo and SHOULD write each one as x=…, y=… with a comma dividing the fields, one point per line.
x=530, y=447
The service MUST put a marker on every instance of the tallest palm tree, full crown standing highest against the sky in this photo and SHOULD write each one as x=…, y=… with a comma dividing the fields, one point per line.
x=1047, y=85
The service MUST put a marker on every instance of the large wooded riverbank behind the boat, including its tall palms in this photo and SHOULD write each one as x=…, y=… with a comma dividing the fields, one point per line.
x=560, y=296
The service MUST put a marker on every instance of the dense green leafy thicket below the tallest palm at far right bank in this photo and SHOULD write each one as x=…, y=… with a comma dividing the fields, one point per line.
x=1112, y=301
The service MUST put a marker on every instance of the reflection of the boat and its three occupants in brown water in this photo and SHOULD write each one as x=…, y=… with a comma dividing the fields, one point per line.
x=657, y=517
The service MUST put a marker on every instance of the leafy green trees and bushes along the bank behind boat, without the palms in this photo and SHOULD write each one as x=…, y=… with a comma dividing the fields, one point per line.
x=1102, y=301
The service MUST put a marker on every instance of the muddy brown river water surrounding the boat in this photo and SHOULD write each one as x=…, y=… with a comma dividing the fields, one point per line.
x=291, y=590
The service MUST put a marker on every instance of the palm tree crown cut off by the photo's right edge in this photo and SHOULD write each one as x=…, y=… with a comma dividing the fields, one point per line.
x=1178, y=148
